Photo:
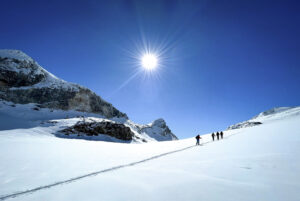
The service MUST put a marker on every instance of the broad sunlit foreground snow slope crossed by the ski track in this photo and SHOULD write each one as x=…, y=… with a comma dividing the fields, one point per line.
x=249, y=164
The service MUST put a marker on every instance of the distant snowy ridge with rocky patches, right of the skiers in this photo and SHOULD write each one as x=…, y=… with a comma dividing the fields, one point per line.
x=263, y=117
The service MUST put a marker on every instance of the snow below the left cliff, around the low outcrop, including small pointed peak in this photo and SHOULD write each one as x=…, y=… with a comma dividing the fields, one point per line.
x=26, y=116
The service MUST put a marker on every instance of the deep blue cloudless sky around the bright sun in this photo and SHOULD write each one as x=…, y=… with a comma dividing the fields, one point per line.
x=224, y=61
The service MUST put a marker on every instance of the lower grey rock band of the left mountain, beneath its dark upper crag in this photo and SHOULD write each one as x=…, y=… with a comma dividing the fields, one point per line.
x=82, y=100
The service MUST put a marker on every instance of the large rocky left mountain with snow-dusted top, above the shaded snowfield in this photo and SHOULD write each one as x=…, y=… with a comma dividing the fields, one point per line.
x=23, y=81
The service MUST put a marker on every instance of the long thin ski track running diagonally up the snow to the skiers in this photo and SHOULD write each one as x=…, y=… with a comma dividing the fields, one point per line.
x=16, y=194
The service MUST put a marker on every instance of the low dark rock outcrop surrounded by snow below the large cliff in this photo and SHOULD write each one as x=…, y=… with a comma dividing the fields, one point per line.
x=116, y=130
